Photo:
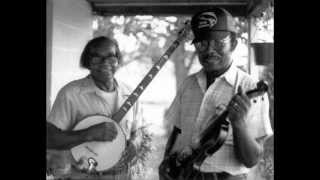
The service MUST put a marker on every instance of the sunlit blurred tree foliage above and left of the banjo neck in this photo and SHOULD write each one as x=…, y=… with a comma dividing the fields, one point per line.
x=153, y=34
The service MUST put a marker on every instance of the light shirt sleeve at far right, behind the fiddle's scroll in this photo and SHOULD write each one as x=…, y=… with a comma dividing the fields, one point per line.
x=259, y=118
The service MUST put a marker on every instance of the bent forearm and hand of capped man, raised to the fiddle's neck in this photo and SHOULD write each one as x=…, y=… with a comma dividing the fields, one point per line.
x=248, y=148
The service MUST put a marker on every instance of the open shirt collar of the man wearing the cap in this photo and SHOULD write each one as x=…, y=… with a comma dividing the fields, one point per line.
x=229, y=76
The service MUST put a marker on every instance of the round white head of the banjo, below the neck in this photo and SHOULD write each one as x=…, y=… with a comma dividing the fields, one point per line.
x=105, y=154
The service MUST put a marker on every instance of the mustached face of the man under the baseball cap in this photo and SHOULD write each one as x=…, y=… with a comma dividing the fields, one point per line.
x=215, y=53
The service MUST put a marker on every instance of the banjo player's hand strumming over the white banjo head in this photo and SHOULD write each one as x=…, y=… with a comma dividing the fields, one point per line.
x=105, y=131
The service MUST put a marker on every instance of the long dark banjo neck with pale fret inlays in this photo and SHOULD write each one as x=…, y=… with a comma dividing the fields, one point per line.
x=151, y=74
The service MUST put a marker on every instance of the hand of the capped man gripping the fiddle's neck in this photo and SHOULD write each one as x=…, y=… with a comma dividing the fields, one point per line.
x=239, y=107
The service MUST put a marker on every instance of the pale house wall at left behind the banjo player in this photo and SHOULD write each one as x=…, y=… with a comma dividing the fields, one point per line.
x=71, y=26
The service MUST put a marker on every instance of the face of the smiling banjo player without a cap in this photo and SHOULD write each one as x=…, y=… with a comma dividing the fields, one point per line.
x=104, y=63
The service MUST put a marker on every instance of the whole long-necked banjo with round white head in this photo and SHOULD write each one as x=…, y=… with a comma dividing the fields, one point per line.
x=102, y=156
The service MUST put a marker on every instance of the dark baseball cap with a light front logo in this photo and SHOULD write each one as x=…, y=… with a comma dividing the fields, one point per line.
x=215, y=19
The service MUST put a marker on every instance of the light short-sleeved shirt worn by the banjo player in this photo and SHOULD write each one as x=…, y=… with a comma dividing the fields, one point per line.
x=81, y=98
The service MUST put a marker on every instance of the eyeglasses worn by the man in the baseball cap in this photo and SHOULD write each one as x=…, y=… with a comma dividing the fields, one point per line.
x=213, y=43
